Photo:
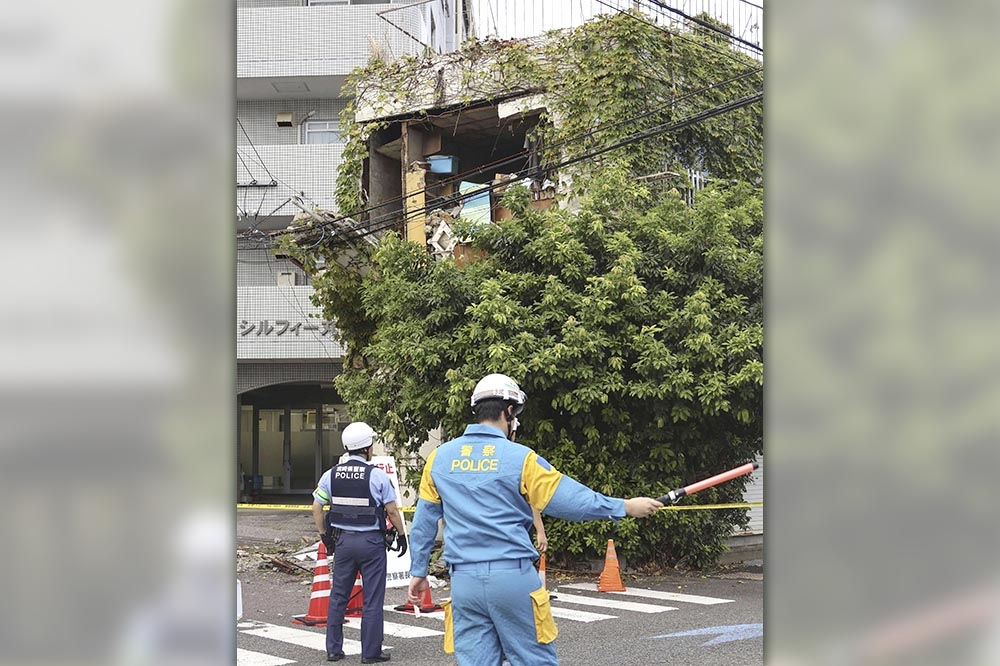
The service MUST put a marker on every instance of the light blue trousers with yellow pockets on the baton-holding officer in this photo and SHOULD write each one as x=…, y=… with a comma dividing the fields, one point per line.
x=492, y=613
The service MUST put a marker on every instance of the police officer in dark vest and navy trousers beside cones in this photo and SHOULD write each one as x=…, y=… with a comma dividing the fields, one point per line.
x=361, y=497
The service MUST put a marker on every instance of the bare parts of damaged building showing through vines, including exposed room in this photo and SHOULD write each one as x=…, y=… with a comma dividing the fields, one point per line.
x=446, y=138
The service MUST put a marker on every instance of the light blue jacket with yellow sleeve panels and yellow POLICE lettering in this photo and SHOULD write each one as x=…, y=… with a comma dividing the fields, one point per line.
x=481, y=484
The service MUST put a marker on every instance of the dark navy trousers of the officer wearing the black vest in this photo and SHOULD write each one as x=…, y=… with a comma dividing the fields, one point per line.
x=364, y=552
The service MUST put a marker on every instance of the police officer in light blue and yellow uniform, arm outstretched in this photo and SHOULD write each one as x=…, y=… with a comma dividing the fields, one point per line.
x=484, y=486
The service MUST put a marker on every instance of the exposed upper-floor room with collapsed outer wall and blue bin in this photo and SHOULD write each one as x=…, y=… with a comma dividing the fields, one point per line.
x=437, y=156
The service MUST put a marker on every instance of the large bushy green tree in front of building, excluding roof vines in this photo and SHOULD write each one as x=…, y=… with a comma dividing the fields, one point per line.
x=637, y=336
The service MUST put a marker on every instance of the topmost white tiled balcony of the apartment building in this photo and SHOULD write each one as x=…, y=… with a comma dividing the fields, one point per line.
x=307, y=52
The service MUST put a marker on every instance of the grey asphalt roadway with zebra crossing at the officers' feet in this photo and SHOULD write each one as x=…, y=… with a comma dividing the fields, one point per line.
x=623, y=637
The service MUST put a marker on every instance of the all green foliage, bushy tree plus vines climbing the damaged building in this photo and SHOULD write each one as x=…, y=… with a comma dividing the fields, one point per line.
x=633, y=322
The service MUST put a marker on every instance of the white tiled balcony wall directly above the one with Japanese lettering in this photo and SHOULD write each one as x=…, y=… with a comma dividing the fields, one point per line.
x=268, y=177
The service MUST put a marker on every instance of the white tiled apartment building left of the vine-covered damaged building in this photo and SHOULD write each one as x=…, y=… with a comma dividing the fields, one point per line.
x=293, y=57
